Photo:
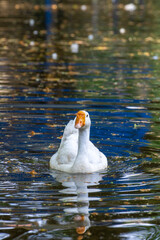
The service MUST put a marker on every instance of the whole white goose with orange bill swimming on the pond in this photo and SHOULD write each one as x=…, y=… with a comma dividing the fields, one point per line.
x=77, y=154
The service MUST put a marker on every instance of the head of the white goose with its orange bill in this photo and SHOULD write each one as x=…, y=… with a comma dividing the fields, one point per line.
x=82, y=120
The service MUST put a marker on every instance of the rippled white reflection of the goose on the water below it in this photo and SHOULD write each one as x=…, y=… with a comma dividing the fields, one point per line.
x=78, y=187
